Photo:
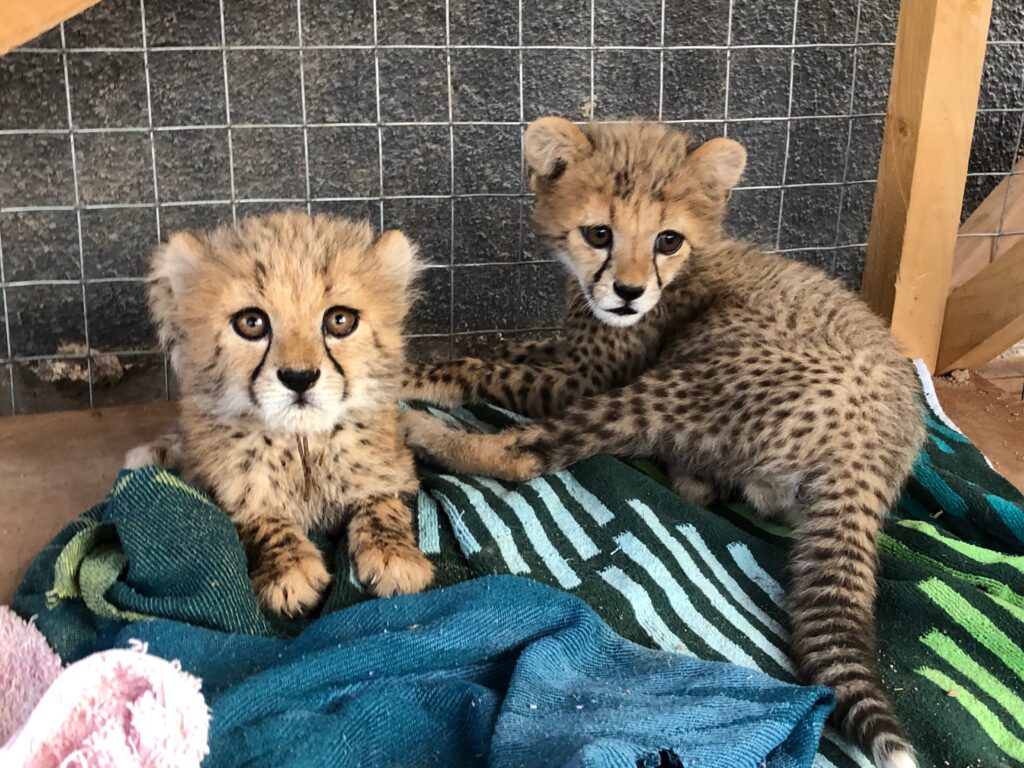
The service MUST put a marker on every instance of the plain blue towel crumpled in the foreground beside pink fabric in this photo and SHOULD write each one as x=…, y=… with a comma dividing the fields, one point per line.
x=500, y=672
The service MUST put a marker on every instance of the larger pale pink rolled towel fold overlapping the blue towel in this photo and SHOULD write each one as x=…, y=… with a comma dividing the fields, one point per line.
x=118, y=709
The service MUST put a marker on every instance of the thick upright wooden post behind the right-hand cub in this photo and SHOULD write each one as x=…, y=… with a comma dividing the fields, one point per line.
x=941, y=49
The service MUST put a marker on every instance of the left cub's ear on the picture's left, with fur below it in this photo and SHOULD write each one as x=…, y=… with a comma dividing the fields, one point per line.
x=172, y=271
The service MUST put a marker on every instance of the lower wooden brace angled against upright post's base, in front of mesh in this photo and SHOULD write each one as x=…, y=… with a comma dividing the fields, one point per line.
x=986, y=316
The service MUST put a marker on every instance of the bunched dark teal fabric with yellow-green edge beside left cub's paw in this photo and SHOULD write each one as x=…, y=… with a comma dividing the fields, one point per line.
x=178, y=557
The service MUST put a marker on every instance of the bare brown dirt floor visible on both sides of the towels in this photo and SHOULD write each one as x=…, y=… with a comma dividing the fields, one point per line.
x=54, y=466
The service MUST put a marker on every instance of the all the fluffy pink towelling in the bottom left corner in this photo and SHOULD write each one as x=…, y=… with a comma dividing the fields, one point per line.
x=118, y=709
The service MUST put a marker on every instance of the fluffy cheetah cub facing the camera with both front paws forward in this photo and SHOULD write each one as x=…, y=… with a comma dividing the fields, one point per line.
x=286, y=335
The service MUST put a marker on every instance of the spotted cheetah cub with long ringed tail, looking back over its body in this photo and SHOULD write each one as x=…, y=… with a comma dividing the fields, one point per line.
x=744, y=373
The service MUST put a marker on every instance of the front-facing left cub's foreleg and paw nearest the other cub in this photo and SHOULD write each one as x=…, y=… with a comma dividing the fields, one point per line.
x=383, y=548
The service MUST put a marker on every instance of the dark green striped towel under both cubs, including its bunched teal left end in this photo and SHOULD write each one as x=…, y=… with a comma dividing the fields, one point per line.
x=659, y=571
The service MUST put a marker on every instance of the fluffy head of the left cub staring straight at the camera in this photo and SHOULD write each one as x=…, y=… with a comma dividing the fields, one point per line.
x=288, y=319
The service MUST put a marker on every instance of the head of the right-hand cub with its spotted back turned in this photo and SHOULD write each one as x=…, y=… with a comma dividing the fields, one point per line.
x=625, y=206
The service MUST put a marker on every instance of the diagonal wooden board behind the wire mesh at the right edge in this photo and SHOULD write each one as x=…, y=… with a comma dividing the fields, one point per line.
x=1005, y=205
